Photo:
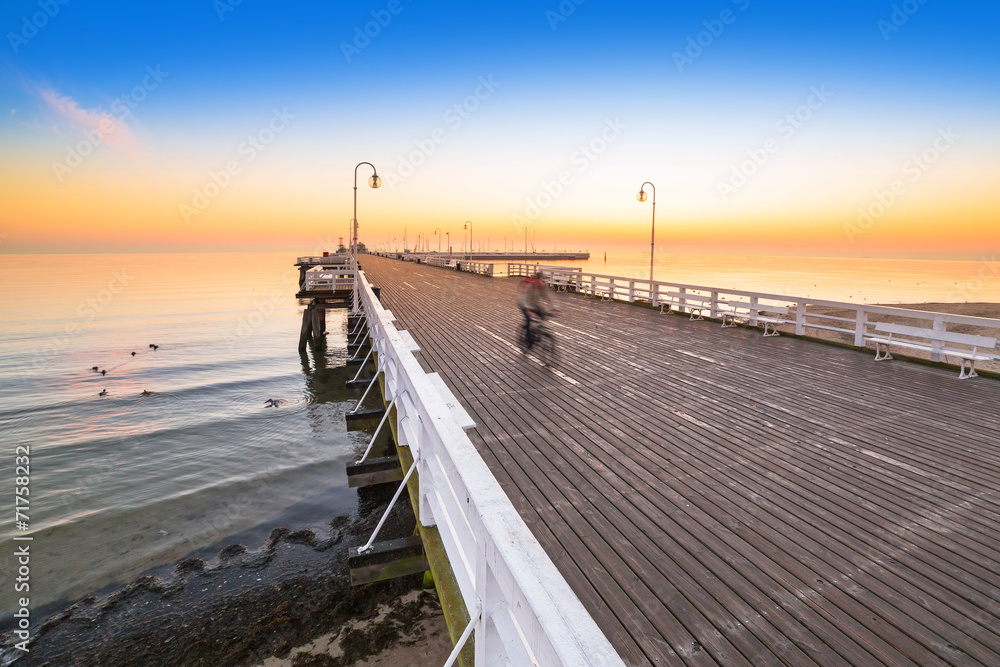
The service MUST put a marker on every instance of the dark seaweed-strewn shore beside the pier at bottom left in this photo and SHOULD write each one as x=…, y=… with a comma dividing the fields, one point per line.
x=290, y=595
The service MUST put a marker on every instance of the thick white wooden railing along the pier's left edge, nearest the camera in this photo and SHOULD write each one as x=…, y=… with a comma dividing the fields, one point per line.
x=522, y=610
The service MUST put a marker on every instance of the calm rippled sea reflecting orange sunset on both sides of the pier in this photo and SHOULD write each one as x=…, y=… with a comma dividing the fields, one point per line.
x=125, y=482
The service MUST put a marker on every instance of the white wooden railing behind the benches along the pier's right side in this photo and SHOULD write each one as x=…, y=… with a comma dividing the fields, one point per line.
x=804, y=314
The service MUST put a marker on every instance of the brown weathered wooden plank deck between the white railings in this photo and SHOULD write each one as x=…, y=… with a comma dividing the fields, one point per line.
x=716, y=497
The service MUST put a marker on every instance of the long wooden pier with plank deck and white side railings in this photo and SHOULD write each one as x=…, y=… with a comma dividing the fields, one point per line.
x=704, y=495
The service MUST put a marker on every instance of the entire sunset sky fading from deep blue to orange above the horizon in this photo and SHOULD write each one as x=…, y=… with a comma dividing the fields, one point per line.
x=840, y=128
